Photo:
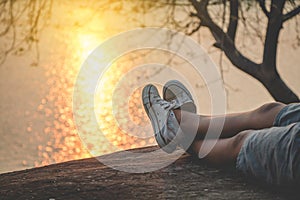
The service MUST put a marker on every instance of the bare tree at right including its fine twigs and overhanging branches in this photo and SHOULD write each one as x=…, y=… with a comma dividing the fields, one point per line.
x=277, y=12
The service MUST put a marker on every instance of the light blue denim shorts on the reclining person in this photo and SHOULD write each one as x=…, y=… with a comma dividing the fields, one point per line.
x=273, y=154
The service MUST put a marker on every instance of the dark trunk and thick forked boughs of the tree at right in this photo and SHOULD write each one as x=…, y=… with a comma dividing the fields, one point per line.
x=266, y=71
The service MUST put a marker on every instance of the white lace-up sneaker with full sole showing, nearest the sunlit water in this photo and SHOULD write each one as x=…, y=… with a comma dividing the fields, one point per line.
x=163, y=120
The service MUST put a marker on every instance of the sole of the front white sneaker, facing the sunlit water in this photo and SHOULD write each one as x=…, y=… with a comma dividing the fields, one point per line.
x=159, y=139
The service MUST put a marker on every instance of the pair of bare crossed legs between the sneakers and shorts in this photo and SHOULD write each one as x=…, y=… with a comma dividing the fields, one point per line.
x=235, y=129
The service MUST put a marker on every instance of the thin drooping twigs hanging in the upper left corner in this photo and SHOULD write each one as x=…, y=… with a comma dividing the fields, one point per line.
x=20, y=22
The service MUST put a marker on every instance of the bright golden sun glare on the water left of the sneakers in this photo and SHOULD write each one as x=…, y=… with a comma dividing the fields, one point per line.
x=67, y=142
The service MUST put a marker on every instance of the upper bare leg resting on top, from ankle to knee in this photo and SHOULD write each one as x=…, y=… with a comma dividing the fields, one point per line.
x=262, y=117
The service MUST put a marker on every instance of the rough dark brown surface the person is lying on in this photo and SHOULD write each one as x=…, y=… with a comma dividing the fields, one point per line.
x=186, y=178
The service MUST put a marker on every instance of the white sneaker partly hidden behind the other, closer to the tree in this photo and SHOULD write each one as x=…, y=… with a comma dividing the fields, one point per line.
x=175, y=90
